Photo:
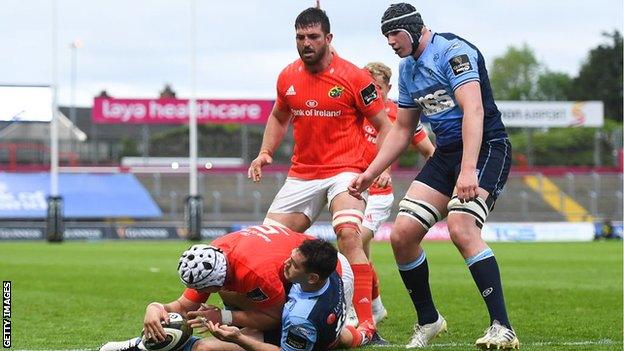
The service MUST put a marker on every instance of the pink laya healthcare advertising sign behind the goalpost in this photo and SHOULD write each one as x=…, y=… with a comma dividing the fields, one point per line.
x=176, y=111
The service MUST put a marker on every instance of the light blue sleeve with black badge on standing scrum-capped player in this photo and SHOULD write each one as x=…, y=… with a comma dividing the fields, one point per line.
x=460, y=63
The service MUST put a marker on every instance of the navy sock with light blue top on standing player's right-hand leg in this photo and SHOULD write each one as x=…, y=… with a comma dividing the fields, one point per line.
x=484, y=270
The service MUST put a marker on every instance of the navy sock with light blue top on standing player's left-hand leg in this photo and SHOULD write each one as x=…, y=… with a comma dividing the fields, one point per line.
x=415, y=277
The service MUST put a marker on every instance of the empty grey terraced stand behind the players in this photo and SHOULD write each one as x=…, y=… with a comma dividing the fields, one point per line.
x=231, y=196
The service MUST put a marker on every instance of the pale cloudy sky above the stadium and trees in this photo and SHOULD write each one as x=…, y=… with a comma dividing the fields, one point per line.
x=133, y=48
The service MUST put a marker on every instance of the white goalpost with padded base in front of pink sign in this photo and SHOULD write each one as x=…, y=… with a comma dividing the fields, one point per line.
x=194, y=204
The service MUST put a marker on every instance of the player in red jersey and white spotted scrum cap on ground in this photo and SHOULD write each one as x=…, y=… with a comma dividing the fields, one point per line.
x=247, y=269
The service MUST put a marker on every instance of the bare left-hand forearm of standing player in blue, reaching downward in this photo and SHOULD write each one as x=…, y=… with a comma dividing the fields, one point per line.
x=400, y=134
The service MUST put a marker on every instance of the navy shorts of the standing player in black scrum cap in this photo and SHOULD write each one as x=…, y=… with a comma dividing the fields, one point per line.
x=442, y=169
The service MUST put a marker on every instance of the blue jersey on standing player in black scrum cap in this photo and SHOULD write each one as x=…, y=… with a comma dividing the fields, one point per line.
x=429, y=83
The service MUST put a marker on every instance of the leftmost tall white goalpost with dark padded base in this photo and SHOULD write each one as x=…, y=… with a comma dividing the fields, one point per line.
x=54, y=219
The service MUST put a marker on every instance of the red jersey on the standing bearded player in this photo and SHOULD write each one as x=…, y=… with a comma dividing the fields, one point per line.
x=328, y=110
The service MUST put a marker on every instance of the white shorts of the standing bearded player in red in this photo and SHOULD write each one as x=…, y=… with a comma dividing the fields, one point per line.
x=309, y=196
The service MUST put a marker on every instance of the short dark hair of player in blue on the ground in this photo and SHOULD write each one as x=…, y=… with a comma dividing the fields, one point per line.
x=321, y=257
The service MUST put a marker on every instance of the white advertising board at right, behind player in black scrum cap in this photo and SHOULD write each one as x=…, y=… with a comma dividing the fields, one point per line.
x=539, y=114
